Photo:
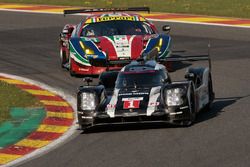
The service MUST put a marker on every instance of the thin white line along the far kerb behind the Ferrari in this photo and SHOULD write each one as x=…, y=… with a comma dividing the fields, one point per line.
x=159, y=20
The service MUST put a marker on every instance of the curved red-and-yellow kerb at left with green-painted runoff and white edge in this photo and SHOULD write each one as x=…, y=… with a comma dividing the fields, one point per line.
x=38, y=127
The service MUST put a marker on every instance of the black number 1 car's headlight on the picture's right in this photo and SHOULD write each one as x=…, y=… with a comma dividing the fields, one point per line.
x=174, y=97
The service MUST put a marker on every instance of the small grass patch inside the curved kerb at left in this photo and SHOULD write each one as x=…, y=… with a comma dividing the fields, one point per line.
x=11, y=96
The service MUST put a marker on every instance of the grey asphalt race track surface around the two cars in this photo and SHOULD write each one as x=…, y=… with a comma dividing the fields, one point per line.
x=220, y=137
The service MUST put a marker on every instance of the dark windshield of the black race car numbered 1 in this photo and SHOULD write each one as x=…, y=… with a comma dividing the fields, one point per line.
x=139, y=79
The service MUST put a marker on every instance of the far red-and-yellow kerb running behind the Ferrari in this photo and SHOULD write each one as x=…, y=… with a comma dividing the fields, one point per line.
x=180, y=18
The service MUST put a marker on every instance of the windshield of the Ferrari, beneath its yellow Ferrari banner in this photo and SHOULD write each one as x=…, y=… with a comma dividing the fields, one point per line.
x=118, y=27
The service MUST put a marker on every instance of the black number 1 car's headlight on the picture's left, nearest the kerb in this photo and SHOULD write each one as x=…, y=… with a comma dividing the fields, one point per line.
x=88, y=101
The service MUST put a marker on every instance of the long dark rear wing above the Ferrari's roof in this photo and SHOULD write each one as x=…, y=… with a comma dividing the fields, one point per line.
x=74, y=11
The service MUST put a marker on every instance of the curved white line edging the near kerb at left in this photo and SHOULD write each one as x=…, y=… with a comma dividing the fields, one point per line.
x=41, y=151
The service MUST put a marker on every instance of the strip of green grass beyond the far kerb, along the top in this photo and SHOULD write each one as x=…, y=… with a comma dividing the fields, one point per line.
x=231, y=8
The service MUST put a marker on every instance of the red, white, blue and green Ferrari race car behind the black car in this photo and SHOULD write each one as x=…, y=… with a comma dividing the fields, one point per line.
x=112, y=36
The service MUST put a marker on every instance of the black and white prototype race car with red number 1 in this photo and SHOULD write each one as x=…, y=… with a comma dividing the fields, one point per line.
x=144, y=92
